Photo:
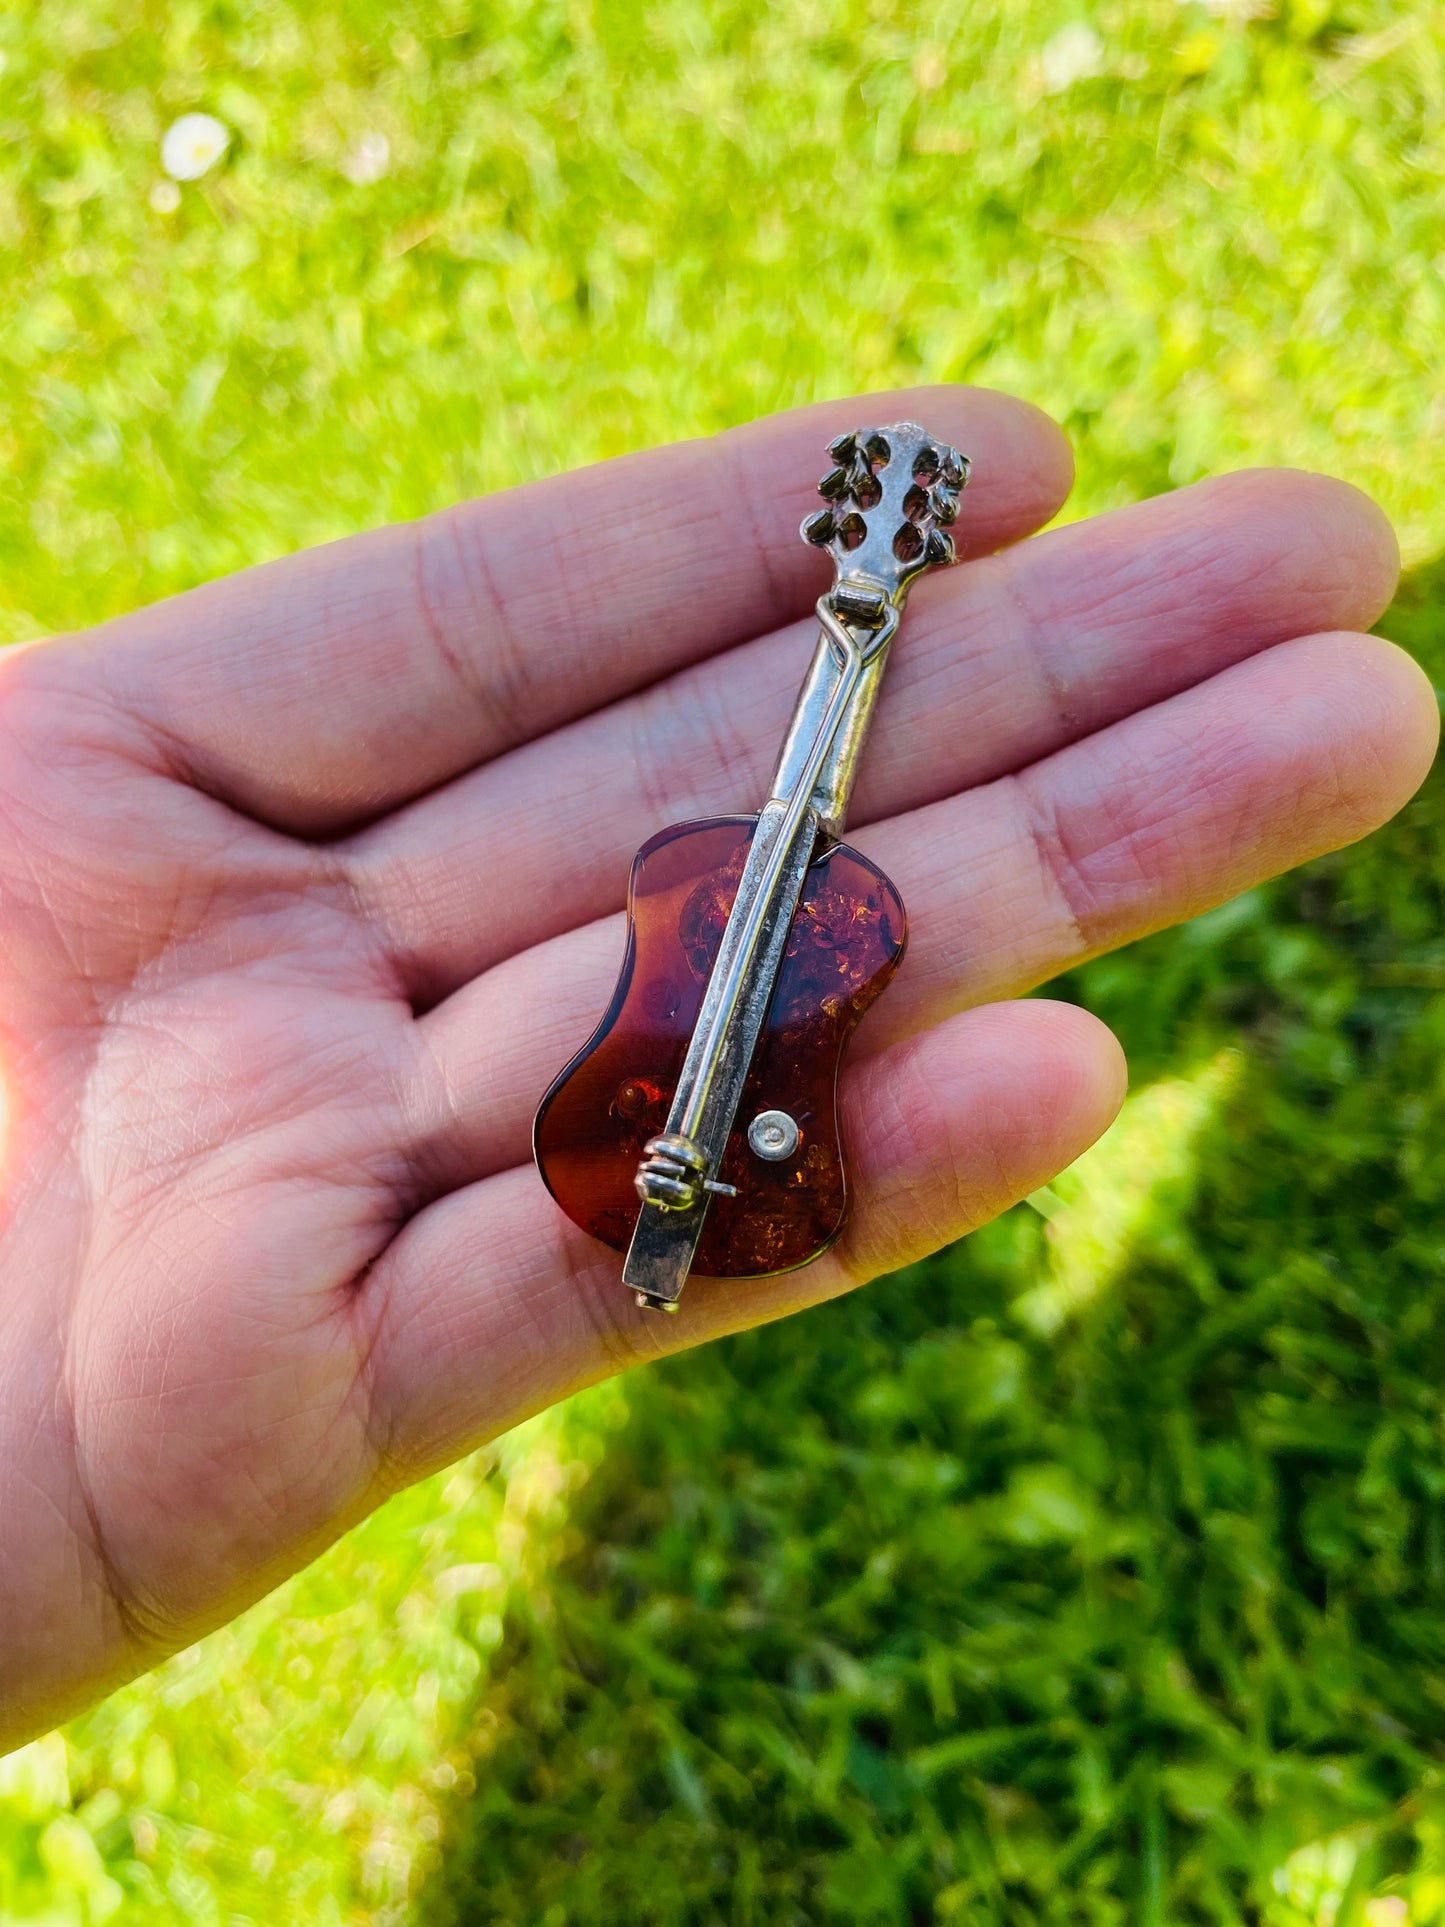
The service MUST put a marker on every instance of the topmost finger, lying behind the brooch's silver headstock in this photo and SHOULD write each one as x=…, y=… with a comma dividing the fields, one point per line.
x=325, y=689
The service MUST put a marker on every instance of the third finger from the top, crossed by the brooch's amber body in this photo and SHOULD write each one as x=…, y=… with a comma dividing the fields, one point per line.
x=1155, y=820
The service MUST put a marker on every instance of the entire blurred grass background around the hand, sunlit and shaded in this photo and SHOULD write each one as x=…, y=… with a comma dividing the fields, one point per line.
x=1093, y=1571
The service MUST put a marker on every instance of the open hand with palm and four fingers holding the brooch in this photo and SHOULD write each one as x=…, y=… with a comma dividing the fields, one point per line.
x=311, y=880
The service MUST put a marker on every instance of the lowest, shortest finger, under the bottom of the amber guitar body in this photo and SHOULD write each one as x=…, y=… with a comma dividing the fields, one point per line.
x=492, y=1306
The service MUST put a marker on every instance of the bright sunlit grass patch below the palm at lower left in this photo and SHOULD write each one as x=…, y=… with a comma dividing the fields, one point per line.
x=294, y=1766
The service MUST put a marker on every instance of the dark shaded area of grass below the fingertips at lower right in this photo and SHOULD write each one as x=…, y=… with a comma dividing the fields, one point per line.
x=912, y=1612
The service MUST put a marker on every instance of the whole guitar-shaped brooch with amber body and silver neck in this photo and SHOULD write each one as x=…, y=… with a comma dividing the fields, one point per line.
x=698, y=1128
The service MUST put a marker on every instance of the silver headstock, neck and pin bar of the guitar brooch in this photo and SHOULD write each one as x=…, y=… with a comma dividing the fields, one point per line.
x=891, y=498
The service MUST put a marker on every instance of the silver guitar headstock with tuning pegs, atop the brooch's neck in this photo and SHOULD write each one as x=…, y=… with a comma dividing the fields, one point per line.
x=889, y=504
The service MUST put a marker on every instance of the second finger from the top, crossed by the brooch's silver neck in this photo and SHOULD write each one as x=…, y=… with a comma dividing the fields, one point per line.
x=1001, y=664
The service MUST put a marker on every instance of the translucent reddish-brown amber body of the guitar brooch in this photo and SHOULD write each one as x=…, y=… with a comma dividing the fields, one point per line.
x=845, y=945
